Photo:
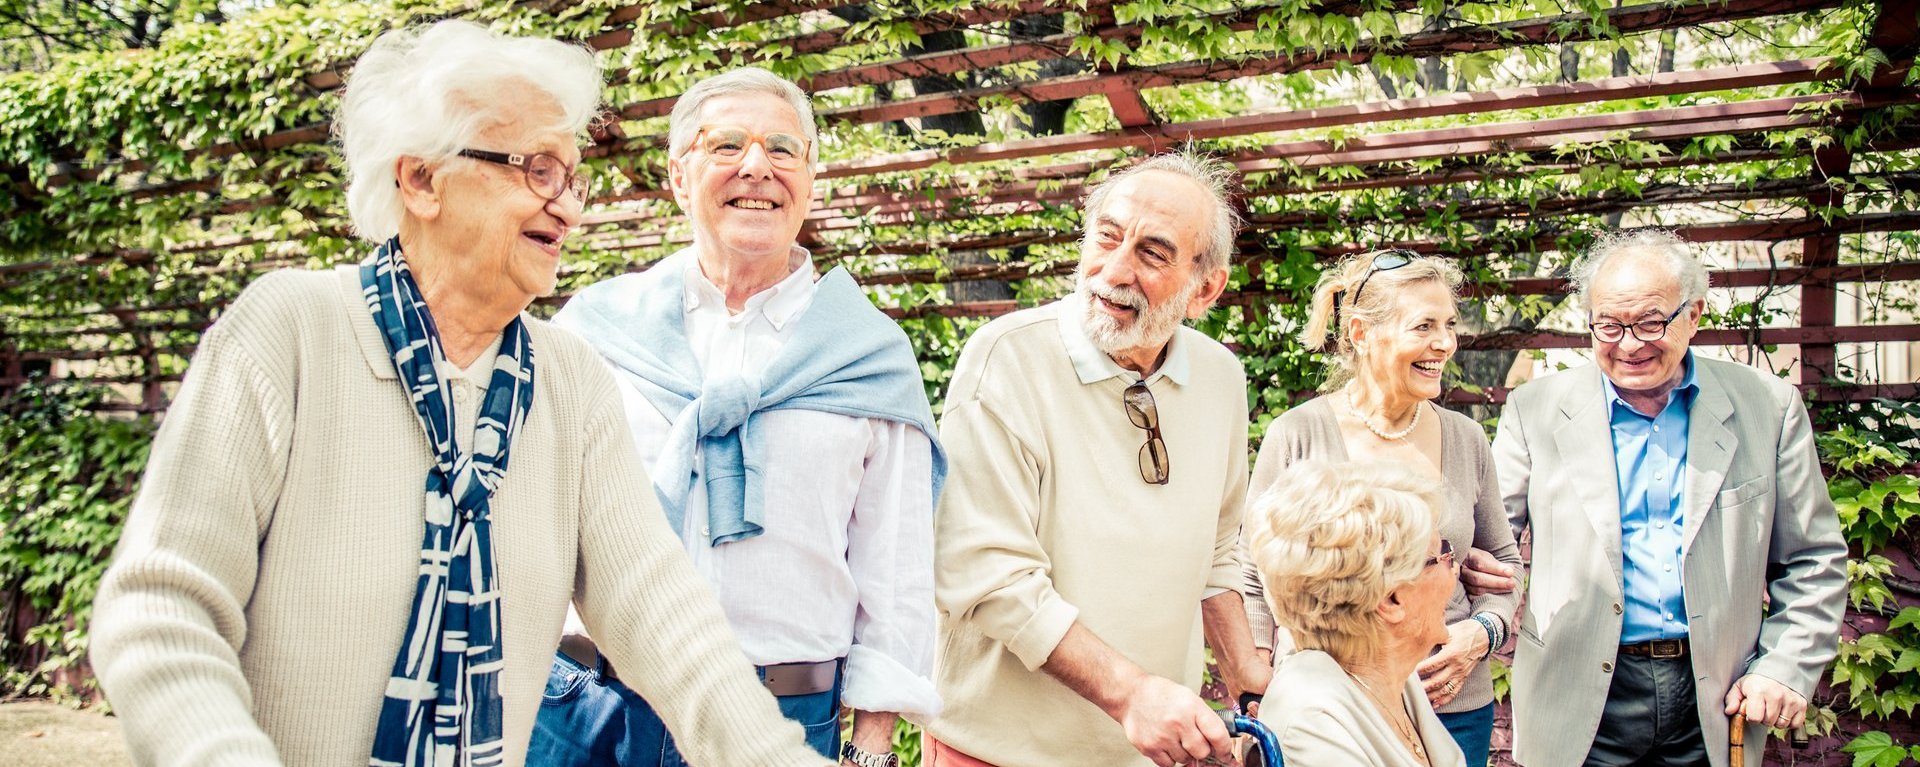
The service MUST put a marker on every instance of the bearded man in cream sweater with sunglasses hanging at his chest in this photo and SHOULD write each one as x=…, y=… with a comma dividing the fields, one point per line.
x=1092, y=526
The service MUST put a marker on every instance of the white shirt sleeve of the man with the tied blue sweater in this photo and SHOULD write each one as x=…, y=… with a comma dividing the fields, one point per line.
x=890, y=551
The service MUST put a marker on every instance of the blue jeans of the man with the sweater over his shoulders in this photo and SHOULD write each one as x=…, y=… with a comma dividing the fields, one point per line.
x=588, y=722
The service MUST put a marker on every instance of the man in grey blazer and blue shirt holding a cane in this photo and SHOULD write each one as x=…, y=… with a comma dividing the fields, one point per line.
x=1687, y=560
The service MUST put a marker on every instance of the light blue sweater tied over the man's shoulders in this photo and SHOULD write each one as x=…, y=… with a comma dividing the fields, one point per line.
x=846, y=359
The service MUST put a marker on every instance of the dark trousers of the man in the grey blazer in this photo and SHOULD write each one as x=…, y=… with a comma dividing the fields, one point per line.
x=1652, y=718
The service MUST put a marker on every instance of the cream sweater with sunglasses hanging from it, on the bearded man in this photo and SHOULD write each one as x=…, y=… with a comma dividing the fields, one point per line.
x=1045, y=522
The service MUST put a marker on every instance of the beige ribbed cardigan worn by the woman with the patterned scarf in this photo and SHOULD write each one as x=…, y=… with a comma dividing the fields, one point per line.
x=268, y=570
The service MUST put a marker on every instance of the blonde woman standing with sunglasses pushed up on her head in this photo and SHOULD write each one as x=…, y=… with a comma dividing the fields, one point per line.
x=1387, y=324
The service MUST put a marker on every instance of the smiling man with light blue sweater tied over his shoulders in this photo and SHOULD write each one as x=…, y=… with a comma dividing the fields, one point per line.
x=788, y=437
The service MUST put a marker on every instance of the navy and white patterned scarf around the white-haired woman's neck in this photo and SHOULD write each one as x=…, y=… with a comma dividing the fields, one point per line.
x=443, y=703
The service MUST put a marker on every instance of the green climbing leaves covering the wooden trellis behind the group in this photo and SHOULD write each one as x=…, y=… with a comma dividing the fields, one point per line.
x=120, y=234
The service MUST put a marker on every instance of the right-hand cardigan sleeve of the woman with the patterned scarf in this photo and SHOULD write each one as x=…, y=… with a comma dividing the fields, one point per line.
x=656, y=618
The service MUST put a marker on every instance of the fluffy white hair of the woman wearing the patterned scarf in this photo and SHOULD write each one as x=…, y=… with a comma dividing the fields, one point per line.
x=427, y=91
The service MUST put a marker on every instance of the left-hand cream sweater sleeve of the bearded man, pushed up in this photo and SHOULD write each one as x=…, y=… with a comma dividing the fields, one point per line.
x=994, y=574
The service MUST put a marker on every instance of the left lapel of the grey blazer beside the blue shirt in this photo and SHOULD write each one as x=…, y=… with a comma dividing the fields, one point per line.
x=1585, y=439
